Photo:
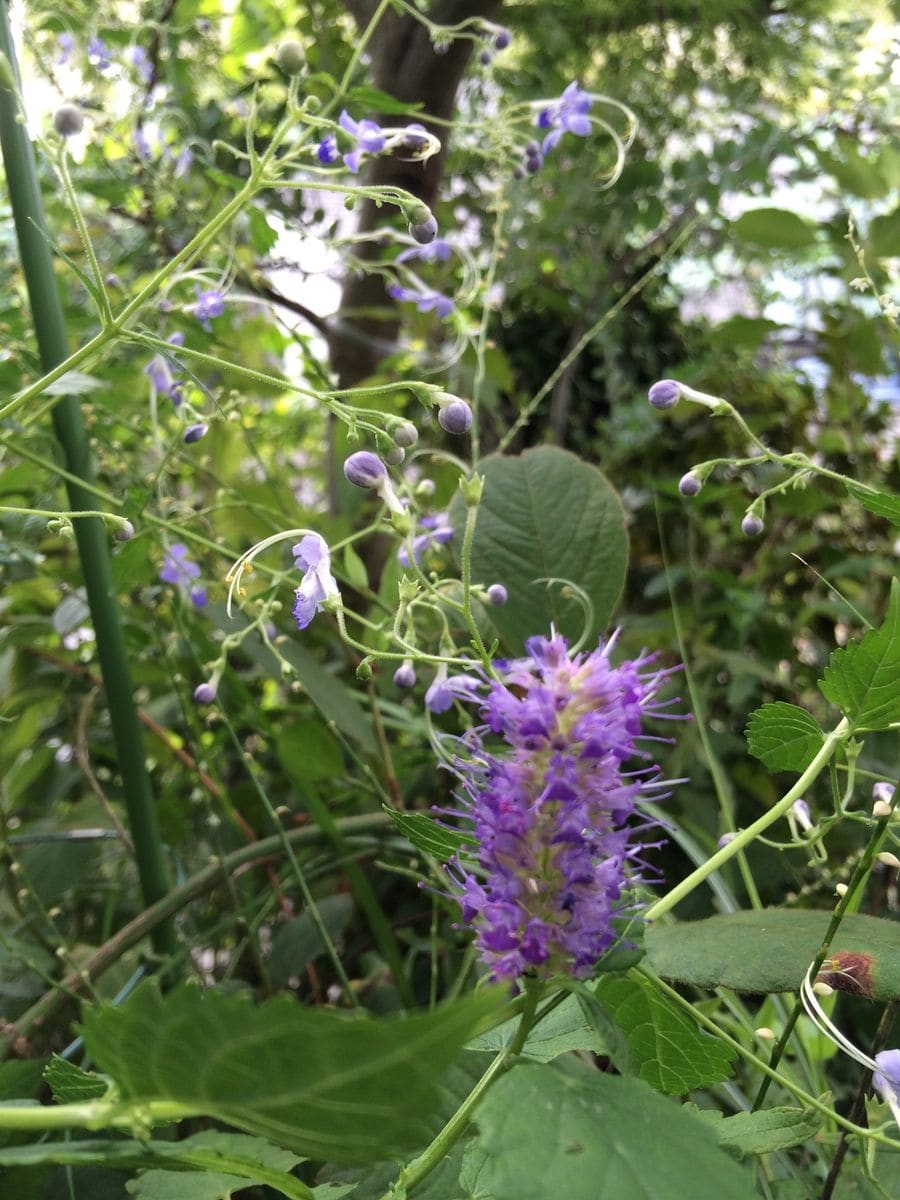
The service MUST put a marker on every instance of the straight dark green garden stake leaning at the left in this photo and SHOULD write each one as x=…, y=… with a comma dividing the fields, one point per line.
x=91, y=532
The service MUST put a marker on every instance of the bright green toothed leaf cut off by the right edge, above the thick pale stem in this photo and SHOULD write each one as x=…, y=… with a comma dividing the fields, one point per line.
x=863, y=679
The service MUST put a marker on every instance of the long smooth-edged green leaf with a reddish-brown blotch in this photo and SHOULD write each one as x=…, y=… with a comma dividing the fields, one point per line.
x=772, y=951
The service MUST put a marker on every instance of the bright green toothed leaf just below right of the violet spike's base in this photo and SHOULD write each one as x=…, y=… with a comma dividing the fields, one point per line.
x=668, y=1049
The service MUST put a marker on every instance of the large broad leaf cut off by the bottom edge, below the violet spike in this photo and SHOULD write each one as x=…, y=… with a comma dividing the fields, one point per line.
x=586, y=1136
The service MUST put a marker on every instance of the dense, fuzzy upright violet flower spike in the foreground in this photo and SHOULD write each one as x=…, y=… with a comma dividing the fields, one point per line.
x=551, y=809
